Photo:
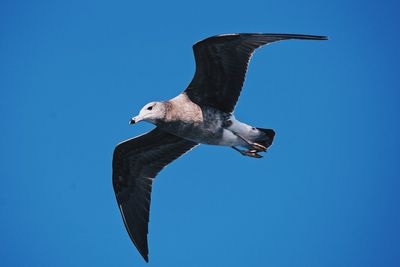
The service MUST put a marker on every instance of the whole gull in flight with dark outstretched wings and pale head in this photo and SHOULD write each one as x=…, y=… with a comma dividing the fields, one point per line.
x=201, y=114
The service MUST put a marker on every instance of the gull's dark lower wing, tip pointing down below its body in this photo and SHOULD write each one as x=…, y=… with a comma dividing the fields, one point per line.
x=136, y=162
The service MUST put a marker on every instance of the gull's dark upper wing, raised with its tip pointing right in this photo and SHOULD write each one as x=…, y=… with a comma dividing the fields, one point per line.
x=221, y=64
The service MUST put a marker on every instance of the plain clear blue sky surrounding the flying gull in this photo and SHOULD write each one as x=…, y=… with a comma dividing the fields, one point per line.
x=72, y=73
